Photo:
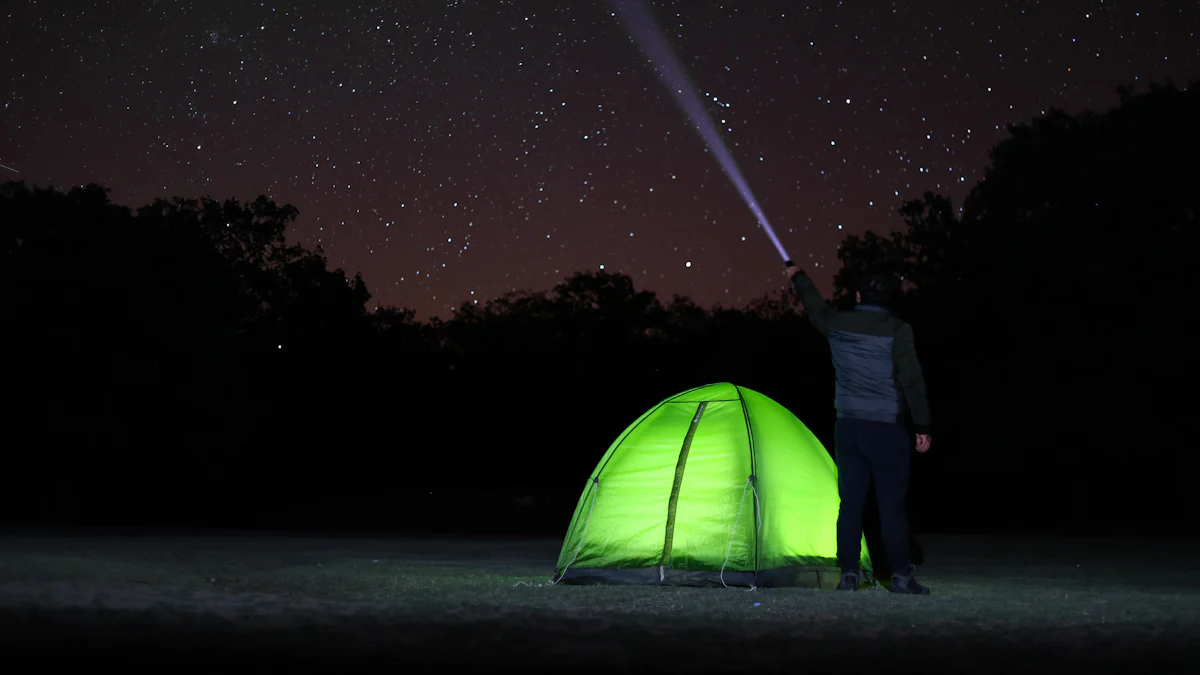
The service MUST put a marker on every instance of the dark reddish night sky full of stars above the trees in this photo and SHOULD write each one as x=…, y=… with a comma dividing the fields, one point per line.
x=454, y=151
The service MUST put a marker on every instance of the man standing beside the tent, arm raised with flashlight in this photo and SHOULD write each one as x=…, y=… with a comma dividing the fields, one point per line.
x=878, y=380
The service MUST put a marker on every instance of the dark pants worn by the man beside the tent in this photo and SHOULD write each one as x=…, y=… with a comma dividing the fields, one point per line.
x=868, y=451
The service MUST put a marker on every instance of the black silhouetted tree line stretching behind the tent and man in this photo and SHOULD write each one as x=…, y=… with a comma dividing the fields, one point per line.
x=183, y=363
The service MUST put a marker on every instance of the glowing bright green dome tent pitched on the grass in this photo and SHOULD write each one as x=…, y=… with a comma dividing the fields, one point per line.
x=717, y=486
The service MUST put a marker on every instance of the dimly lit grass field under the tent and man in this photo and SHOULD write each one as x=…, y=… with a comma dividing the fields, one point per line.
x=999, y=605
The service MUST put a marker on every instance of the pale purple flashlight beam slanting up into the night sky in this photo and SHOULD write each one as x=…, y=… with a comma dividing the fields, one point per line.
x=641, y=26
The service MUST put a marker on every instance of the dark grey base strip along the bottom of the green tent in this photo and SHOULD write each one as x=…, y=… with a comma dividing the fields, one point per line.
x=803, y=577
